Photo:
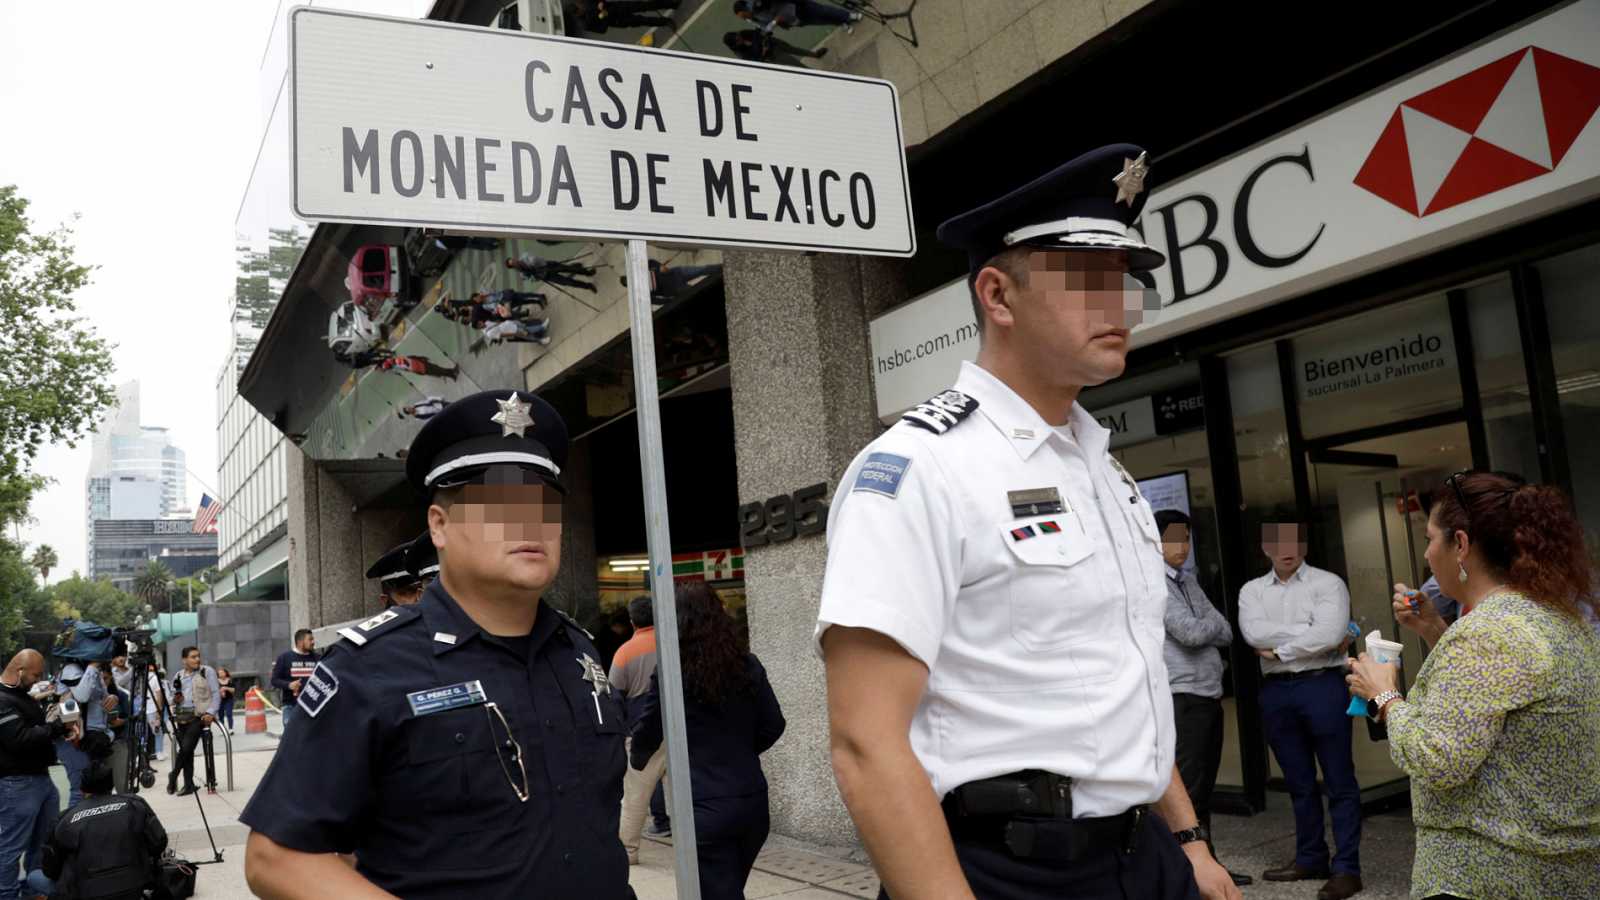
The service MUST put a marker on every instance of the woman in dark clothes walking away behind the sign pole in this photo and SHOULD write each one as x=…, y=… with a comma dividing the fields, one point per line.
x=732, y=717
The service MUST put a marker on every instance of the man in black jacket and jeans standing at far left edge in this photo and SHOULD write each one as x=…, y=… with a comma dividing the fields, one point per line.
x=28, y=750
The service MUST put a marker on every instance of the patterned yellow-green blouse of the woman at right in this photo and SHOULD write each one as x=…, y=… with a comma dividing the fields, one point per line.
x=1502, y=739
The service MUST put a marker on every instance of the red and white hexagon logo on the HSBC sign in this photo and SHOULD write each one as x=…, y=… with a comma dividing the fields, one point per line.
x=1498, y=126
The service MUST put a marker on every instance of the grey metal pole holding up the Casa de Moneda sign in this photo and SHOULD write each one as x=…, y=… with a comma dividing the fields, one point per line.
x=647, y=404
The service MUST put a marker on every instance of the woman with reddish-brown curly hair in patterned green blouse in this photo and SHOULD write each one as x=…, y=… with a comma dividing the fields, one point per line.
x=1502, y=731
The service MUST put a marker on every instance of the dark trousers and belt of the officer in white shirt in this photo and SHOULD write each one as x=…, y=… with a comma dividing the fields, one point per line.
x=1158, y=870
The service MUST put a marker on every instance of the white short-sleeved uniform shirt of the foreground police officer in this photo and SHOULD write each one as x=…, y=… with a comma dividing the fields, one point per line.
x=1042, y=630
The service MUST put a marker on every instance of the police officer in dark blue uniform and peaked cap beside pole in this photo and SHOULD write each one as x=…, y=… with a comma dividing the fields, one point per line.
x=468, y=745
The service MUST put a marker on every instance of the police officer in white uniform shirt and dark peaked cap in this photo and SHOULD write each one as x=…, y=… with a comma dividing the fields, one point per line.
x=993, y=606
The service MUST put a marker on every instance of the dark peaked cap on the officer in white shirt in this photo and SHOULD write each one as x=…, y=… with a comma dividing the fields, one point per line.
x=1087, y=204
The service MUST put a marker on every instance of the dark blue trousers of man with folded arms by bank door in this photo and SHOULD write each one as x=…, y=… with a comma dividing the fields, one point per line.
x=1306, y=728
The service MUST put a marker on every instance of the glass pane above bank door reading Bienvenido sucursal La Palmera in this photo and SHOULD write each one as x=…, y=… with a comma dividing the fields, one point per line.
x=1386, y=366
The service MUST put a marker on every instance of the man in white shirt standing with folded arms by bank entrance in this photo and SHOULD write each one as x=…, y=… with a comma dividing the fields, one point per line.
x=1297, y=619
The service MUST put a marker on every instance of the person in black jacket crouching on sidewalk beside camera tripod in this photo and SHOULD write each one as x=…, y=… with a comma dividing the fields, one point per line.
x=106, y=846
